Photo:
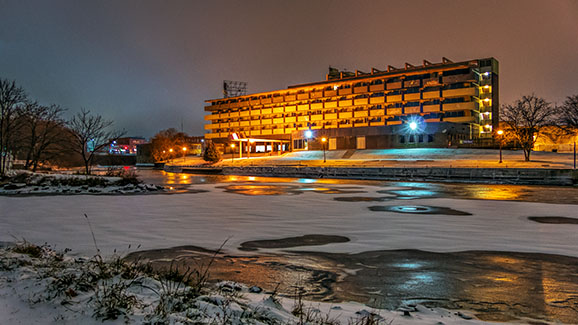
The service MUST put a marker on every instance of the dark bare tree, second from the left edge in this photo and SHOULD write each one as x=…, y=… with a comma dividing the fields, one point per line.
x=41, y=132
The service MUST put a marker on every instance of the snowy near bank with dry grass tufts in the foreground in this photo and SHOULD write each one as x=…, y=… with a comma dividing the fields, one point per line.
x=113, y=289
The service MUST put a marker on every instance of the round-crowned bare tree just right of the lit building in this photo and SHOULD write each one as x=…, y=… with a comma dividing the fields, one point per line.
x=526, y=118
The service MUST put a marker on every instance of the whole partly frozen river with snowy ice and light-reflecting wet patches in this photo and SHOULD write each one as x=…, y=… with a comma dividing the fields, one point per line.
x=384, y=217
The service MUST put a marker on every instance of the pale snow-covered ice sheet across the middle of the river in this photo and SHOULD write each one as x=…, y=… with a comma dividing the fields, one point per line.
x=208, y=219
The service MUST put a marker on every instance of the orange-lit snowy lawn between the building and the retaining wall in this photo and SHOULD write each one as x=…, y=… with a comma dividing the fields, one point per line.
x=418, y=157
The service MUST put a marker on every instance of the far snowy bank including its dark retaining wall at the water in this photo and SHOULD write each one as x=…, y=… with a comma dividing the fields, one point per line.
x=420, y=164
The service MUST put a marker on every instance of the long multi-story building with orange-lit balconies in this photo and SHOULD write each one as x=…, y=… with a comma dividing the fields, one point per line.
x=434, y=104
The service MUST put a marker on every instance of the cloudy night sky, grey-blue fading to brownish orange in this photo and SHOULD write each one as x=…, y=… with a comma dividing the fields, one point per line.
x=149, y=65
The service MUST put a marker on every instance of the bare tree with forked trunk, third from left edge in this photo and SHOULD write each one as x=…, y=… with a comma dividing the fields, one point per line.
x=90, y=134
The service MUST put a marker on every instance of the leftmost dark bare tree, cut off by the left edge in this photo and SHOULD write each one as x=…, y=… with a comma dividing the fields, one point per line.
x=12, y=97
